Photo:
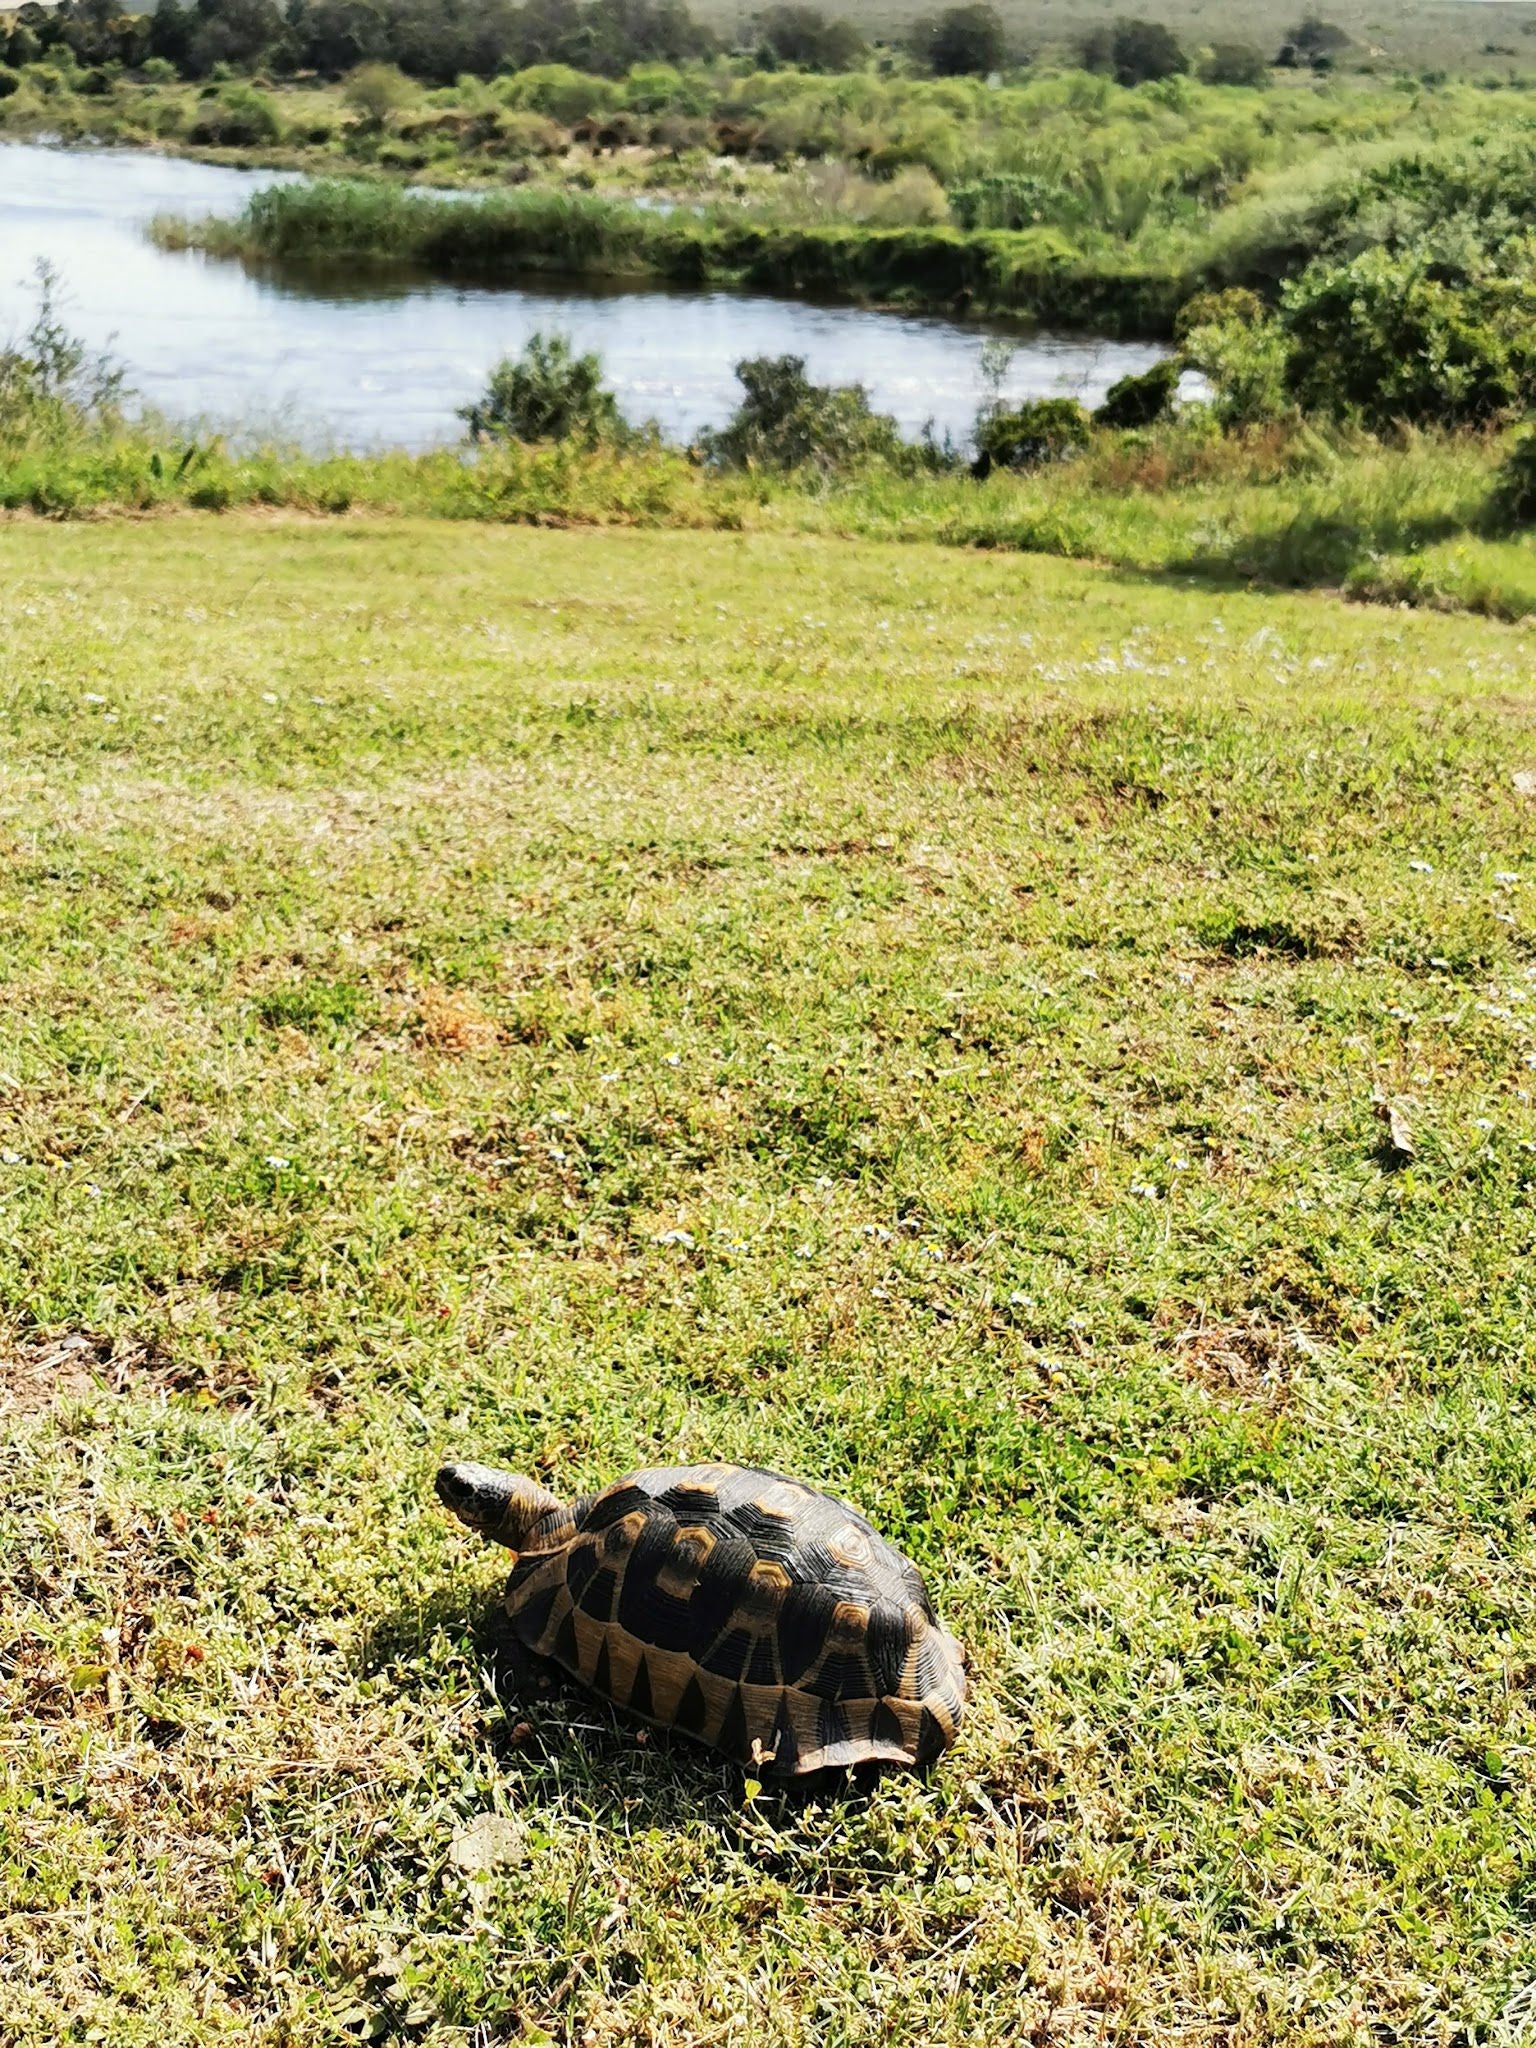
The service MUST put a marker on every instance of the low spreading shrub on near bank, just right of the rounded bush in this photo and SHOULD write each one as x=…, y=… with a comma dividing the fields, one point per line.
x=787, y=423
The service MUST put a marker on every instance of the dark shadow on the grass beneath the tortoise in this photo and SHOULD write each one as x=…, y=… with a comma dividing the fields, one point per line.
x=566, y=1742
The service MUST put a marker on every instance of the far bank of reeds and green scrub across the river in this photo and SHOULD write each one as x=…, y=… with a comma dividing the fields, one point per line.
x=1056, y=196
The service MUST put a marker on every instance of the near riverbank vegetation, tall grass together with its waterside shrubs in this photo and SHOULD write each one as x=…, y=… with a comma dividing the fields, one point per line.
x=1424, y=517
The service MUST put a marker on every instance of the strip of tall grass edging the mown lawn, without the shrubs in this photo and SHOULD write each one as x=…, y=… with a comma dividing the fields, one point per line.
x=1390, y=523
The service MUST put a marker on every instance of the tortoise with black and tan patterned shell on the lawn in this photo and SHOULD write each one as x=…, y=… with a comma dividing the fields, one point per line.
x=744, y=1609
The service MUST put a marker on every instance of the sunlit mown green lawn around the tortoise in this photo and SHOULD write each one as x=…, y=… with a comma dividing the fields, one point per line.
x=908, y=1017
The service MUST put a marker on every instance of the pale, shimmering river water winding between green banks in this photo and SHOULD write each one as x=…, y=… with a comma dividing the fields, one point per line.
x=361, y=361
